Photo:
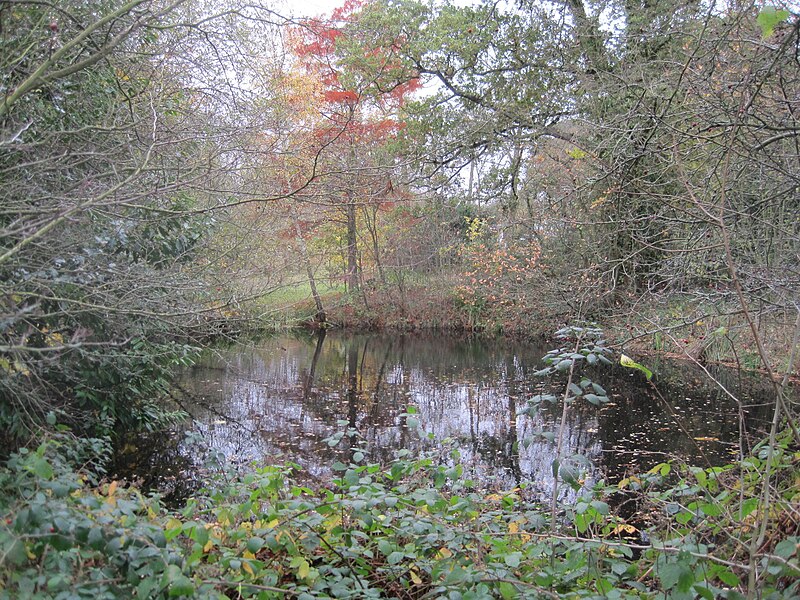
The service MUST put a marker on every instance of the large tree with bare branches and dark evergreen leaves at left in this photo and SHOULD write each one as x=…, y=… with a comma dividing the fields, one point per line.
x=113, y=142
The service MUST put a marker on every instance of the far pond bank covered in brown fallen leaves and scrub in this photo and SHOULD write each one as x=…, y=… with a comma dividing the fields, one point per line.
x=668, y=326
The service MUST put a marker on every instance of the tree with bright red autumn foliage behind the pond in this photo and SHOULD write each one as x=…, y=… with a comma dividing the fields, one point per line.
x=357, y=121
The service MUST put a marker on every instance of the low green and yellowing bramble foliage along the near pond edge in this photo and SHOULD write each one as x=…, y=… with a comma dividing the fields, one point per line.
x=409, y=529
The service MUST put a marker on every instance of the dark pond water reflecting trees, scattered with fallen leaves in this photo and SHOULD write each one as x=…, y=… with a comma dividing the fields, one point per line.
x=280, y=399
